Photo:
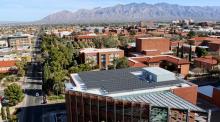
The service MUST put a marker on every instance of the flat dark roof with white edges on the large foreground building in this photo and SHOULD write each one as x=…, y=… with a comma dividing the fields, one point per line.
x=122, y=80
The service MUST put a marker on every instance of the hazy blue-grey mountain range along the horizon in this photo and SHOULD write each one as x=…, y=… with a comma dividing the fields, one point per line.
x=134, y=12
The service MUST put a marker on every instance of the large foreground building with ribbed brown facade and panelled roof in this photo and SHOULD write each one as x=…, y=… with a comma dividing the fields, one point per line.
x=131, y=95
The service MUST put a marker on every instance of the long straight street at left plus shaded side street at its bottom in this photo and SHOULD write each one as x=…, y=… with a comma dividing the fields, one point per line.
x=33, y=110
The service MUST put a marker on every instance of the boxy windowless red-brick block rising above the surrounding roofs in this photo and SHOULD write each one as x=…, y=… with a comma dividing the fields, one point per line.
x=153, y=44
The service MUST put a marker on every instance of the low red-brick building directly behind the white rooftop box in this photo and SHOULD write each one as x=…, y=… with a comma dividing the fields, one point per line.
x=171, y=63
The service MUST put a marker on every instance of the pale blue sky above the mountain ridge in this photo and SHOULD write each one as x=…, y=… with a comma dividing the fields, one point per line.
x=31, y=10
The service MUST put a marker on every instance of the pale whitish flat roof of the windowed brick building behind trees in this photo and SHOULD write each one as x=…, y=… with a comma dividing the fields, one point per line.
x=95, y=50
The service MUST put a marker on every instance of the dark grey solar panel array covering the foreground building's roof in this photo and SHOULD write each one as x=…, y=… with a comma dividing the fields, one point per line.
x=119, y=80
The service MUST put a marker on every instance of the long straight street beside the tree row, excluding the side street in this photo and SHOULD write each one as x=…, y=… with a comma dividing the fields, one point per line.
x=34, y=87
